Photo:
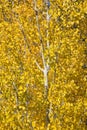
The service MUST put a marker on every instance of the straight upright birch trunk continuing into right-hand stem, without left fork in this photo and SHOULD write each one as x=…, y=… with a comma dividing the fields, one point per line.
x=48, y=110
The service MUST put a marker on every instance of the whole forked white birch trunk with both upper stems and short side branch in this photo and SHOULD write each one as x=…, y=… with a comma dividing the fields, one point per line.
x=46, y=66
